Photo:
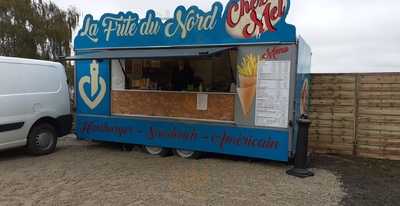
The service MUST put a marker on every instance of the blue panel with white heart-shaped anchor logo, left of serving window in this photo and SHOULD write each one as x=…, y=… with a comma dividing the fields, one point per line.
x=93, y=87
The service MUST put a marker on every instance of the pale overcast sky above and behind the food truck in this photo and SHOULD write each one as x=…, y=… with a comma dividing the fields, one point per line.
x=345, y=35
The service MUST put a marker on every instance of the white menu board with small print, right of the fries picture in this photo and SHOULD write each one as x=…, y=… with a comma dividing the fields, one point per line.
x=272, y=97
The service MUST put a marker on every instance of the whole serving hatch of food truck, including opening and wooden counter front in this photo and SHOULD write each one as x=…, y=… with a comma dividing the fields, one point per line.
x=196, y=87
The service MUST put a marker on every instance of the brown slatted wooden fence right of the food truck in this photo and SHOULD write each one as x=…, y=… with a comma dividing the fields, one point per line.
x=356, y=114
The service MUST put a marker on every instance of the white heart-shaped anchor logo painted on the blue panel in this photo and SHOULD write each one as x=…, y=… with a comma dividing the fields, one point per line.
x=94, y=80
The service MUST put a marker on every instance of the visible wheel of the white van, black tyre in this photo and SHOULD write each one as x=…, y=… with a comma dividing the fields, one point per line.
x=42, y=139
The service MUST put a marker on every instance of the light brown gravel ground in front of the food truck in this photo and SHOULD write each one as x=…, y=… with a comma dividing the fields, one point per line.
x=82, y=173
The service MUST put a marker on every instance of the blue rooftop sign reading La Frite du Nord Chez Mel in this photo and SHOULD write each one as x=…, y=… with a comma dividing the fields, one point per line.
x=238, y=23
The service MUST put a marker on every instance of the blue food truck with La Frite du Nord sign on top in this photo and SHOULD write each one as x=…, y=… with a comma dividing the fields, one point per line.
x=232, y=80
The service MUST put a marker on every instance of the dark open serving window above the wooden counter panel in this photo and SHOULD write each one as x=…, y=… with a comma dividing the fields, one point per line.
x=215, y=73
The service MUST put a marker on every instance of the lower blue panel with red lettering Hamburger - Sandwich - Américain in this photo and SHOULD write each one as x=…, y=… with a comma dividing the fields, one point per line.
x=216, y=138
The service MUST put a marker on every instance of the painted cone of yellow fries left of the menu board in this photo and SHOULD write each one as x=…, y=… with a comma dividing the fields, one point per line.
x=248, y=81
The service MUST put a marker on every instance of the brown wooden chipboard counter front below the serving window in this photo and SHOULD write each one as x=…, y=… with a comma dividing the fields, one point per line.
x=221, y=107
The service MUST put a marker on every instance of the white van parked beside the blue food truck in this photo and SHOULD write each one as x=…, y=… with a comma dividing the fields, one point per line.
x=34, y=104
